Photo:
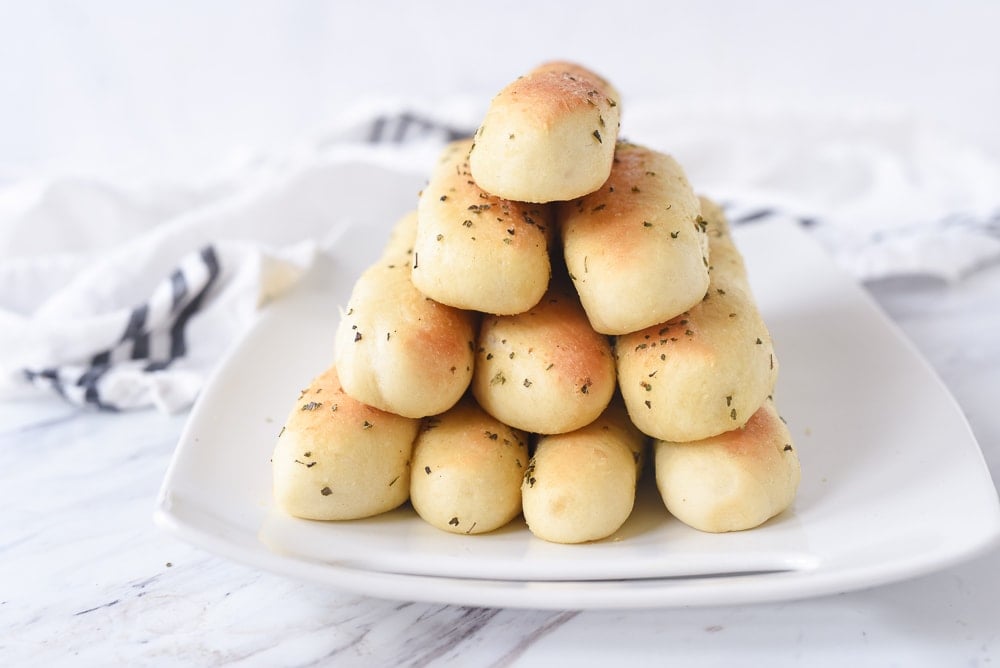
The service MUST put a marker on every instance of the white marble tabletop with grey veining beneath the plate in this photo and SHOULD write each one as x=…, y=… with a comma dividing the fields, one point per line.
x=86, y=578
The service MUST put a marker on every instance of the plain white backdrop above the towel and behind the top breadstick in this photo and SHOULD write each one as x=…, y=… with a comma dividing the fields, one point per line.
x=166, y=90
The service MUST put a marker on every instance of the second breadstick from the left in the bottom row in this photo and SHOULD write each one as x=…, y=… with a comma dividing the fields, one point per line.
x=467, y=470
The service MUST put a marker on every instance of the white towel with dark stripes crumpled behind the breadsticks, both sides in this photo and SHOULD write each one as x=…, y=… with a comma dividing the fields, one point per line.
x=117, y=296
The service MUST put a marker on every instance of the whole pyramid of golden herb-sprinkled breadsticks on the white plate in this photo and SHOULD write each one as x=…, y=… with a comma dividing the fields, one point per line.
x=559, y=308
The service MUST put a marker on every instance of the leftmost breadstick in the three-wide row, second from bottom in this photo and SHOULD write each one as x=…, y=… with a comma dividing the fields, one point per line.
x=396, y=349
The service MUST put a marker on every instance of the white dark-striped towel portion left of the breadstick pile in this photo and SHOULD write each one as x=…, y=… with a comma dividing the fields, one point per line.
x=120, y=297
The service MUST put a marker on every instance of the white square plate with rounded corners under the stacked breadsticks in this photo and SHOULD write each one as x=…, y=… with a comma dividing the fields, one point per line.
x=894, y=484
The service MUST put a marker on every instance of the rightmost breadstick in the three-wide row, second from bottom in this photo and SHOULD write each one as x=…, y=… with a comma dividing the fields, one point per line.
x=707, y=370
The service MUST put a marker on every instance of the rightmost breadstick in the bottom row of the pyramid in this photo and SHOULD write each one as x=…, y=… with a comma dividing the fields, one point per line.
x=733, y=481
